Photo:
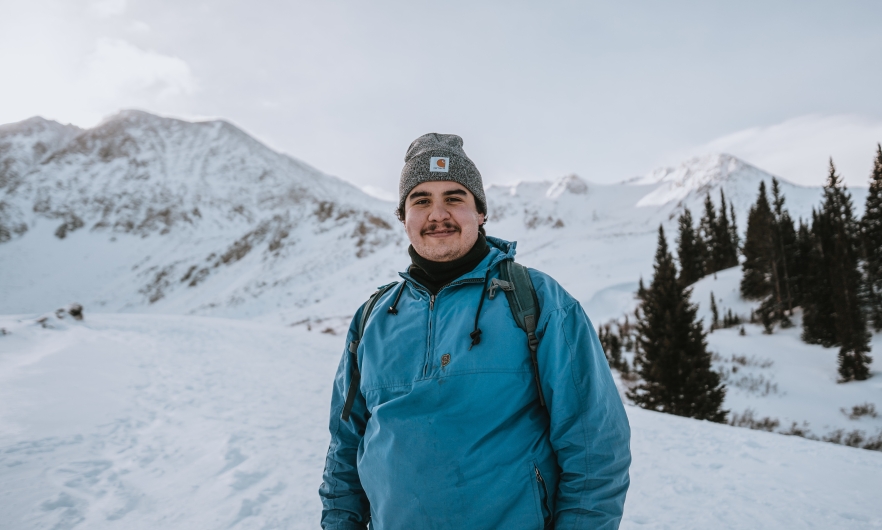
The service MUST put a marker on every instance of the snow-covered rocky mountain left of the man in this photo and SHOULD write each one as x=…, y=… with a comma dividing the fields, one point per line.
x=150, y=213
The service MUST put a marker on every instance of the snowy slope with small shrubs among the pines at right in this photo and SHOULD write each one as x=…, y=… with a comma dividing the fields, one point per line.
x=780, y=377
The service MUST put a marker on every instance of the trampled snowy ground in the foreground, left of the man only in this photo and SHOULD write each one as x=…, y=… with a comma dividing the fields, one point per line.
x=137, y=421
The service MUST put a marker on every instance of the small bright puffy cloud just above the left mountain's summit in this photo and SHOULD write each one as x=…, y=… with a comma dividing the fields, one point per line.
x=119, y=70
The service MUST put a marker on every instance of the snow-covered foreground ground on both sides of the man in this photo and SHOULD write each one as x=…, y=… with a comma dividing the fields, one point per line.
x=150, y=421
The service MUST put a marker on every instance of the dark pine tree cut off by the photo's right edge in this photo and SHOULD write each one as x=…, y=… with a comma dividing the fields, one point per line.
x=871, y=228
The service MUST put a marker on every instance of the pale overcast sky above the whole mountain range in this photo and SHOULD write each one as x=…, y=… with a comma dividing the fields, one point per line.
x=538, y=90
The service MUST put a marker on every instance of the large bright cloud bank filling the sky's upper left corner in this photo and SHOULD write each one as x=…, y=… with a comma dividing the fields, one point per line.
x=61, y=61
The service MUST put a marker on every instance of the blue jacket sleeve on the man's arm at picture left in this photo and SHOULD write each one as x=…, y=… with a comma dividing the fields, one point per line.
x=344, y=503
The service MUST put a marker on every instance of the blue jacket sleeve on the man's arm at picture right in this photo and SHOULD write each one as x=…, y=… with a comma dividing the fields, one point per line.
x=588, y=426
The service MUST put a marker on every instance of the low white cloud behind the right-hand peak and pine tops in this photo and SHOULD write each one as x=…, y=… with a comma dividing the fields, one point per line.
x=799, y=149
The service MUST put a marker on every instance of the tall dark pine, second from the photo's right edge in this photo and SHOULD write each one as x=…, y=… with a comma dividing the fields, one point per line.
x=838, y=239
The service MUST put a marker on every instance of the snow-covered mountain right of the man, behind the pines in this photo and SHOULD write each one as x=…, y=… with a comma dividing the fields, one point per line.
x=599, y=239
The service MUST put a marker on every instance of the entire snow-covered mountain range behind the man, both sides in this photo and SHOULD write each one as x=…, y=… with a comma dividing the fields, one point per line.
x=151, y=214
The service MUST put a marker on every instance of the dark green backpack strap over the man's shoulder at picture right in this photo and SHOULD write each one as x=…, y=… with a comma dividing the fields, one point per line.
x=518, y=287
